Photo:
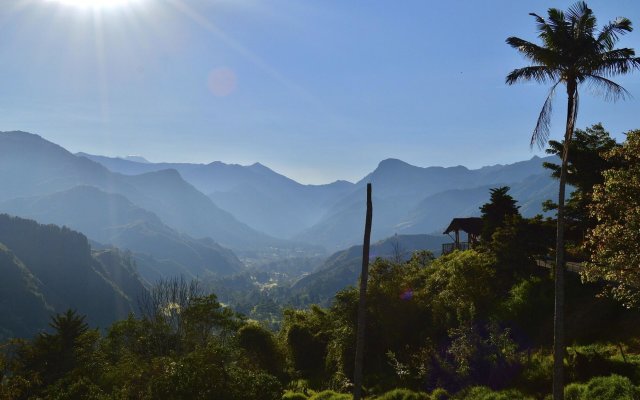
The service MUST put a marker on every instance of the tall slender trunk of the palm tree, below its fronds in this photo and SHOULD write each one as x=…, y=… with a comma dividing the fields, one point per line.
x=558, y=316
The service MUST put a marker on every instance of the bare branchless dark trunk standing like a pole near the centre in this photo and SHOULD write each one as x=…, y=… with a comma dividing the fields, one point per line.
x=364, y=276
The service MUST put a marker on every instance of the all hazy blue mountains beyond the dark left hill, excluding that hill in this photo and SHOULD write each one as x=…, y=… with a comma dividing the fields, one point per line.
x=200, y=219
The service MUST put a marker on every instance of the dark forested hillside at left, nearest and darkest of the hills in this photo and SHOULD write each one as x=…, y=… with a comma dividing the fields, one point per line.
x=49, y=269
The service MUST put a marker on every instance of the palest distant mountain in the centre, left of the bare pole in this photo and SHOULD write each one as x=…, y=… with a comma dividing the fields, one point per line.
x=255, y=194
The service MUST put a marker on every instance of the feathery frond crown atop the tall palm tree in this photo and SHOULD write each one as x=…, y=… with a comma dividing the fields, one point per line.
x=573, y=52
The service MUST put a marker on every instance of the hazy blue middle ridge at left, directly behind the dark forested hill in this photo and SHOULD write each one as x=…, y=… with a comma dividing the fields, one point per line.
x=128, y=226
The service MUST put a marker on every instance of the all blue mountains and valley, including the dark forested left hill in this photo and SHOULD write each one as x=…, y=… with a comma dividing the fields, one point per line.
x=130, y=222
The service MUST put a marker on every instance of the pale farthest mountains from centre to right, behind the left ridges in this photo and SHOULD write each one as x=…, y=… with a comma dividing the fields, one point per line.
x=407, y=199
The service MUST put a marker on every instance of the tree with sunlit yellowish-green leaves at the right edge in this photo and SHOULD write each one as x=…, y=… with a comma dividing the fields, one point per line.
x=613, y=243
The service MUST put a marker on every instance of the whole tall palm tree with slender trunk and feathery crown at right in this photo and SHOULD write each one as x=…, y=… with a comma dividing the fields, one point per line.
x=573, y=53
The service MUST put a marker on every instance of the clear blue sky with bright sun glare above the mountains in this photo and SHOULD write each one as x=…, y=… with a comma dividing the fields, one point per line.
x=318, y=90
